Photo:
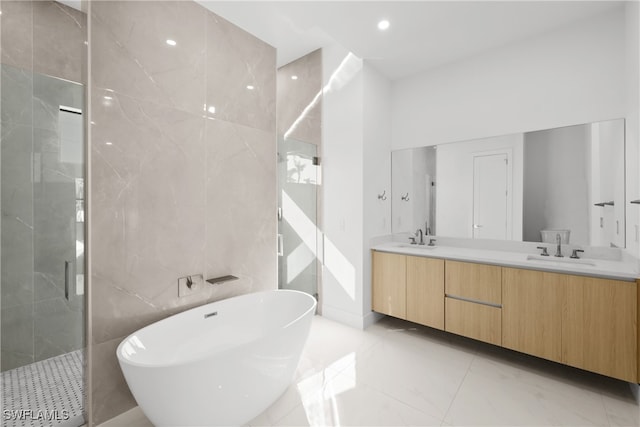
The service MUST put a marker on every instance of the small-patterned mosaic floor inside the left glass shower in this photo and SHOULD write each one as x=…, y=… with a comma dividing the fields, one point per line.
x=45, y=393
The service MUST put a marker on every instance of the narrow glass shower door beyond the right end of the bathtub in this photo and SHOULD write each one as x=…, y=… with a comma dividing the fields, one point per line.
x=298, y=181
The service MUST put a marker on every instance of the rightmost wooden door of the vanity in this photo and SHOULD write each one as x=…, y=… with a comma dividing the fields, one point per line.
x=599, y=326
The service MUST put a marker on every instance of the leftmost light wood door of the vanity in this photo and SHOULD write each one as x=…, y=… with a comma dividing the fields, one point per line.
x=389, y=284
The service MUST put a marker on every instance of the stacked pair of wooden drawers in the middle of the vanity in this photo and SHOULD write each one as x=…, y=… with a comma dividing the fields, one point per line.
x=473, y=299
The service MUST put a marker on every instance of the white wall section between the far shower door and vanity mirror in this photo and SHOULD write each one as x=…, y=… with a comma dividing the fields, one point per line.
x=356, y=168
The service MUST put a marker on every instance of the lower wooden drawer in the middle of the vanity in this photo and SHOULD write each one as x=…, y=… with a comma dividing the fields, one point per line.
x=477, y=321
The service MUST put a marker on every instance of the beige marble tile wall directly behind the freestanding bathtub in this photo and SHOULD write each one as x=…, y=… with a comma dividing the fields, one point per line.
x=183, y=177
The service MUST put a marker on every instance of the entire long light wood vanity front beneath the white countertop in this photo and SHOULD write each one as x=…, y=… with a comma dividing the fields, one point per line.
x=585, y=322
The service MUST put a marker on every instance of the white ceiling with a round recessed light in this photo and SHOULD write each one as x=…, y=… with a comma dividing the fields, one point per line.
x=423, y=34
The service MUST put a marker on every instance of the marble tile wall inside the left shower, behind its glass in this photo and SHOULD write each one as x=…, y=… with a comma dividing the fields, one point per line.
x=42, y=43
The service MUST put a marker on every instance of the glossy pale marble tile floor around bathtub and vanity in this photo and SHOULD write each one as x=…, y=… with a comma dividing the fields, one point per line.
x=397, y=373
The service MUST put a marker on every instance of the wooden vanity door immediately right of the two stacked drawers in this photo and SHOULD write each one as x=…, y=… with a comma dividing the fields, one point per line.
x=531, y=312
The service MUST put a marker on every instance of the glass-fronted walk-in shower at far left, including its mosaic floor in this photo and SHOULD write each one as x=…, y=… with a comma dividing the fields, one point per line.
x=42, y=228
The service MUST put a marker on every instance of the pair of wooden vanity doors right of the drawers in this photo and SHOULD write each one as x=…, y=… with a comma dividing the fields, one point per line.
x=586, y=322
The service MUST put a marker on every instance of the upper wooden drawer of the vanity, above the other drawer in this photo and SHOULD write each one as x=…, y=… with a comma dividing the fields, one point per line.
x=476, y=282
